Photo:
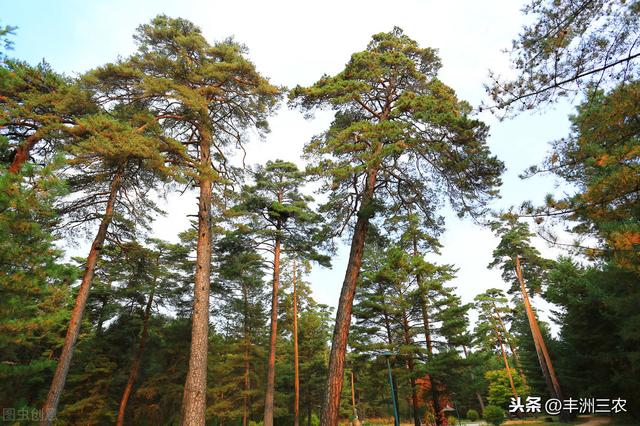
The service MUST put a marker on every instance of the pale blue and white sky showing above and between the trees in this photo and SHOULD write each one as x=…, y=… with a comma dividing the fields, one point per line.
x=295, y=42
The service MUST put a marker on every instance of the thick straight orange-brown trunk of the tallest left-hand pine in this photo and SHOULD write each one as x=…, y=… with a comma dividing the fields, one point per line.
x=194, y=399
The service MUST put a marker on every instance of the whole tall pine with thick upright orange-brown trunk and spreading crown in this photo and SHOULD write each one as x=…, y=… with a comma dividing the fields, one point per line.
x=205, y=96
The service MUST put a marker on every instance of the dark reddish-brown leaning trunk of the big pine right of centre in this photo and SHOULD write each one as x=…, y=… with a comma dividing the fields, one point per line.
x=331, y=404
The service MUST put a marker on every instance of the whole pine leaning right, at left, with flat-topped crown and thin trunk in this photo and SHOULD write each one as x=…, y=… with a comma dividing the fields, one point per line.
x=111, y=169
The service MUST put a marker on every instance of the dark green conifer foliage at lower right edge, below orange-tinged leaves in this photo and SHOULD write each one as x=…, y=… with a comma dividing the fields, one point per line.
x=599, y=340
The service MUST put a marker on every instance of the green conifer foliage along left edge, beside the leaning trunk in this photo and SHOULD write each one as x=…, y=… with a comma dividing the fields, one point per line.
x=34, y=285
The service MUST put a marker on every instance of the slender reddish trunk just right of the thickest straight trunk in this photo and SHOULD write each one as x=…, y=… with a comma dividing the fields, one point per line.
x=271, y=363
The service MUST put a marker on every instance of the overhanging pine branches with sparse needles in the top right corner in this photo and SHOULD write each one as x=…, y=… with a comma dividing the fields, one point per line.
x=569, y=47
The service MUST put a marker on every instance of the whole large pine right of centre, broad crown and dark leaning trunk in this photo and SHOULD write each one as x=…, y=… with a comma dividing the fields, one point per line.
x=397, y=130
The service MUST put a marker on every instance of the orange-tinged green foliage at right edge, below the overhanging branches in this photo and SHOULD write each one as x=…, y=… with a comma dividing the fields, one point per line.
x=600, y=160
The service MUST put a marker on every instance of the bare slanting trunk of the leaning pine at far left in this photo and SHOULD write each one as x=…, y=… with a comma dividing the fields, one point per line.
x=50, y=407
